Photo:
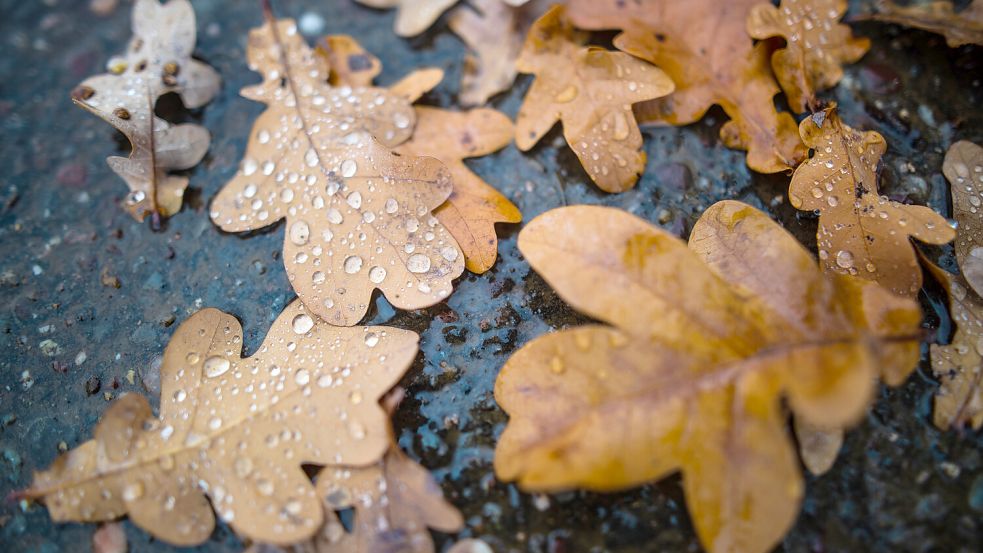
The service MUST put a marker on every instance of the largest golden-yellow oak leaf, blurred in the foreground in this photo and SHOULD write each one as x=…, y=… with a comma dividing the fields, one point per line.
x=706, y=345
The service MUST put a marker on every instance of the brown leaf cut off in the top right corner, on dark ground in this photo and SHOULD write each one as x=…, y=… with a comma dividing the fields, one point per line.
x=964, y=27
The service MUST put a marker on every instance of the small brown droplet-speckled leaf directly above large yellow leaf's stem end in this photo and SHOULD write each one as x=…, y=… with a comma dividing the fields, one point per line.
x=860, y=232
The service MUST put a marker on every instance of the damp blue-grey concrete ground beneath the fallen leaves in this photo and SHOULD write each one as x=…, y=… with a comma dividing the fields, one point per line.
x=70, y=336
